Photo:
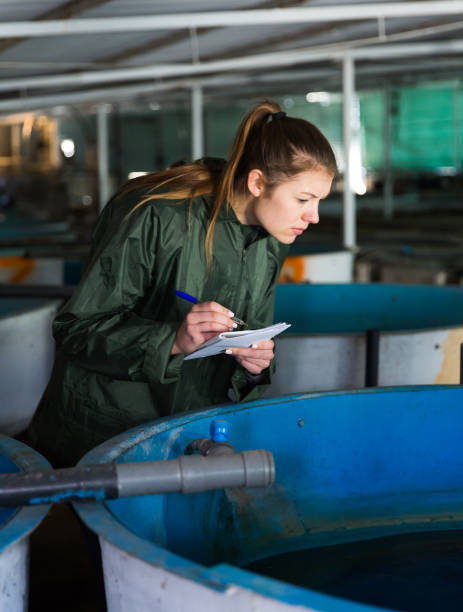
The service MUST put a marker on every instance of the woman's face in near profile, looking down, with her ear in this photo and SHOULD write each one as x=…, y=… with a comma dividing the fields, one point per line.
x=290, y=207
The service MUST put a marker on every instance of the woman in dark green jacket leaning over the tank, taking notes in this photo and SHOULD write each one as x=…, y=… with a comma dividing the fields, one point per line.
x=219, y=232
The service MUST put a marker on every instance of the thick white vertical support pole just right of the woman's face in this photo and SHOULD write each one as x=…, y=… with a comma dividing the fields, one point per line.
x=349, y=222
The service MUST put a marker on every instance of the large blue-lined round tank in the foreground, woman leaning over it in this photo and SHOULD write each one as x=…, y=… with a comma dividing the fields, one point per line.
x=351, y=467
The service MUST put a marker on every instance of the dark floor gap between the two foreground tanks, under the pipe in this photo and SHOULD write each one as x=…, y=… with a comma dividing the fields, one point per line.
x=65, y=570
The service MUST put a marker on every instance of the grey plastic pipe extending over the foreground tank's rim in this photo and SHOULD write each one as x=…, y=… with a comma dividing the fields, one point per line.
x=187, y=474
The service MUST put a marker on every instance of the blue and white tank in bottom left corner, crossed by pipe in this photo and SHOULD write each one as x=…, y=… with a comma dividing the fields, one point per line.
x=16, y=525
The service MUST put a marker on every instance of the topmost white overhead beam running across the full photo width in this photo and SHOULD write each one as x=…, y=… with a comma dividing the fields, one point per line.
x=145, y=23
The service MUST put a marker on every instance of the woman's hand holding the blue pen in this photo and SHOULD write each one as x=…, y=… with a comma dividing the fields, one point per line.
x=204, y=321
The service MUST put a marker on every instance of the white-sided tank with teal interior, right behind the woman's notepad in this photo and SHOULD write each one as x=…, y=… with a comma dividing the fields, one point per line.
x=421, y=329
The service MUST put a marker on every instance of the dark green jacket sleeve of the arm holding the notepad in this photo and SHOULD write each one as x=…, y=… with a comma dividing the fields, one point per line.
x=244, y=389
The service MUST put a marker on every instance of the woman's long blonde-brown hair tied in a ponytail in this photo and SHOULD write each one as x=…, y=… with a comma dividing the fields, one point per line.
x=267, y=140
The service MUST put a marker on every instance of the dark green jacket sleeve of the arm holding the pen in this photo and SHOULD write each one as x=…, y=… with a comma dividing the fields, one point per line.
x=99, y=328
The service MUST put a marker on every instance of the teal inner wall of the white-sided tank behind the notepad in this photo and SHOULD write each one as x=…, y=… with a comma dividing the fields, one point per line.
x=345, y=308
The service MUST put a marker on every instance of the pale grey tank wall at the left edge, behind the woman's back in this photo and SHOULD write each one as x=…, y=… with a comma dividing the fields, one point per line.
x=26, y=358
